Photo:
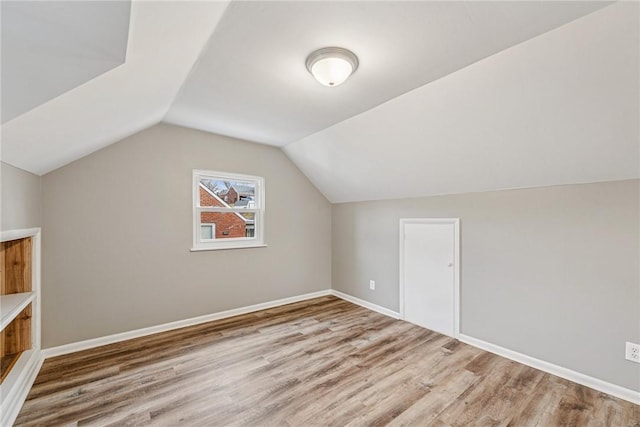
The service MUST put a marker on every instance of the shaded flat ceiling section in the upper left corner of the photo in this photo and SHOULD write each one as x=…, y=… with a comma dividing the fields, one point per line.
x=49, y=48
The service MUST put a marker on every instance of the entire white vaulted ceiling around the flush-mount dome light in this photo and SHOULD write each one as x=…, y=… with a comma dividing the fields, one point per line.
x=449, y=96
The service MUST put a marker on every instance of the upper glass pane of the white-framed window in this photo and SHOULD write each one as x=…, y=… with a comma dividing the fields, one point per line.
x=237, y=194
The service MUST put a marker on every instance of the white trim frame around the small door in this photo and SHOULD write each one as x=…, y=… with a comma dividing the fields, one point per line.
x=456, y=264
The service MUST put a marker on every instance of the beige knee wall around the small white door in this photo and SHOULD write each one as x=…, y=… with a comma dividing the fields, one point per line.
x=550, y=272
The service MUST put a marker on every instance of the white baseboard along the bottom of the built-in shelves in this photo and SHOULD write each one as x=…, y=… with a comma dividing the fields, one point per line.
x=14, y=391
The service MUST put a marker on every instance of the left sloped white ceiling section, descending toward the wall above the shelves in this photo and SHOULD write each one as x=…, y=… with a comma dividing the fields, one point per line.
x=165, y=39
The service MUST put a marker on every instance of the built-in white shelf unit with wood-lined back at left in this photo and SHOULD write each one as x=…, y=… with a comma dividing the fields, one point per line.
x=20, y=356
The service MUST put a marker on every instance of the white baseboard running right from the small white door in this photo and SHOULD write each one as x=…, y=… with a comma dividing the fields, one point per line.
x=585, y=380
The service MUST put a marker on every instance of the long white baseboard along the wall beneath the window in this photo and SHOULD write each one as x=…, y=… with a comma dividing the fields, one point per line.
x=115, y=338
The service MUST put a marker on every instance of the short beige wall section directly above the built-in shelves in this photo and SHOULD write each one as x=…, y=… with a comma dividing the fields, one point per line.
x=20, y=198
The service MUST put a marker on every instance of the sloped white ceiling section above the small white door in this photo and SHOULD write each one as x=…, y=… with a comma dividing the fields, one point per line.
x=560, y=108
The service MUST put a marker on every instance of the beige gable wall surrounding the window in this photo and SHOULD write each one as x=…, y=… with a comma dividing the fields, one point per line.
x=117, y=232
